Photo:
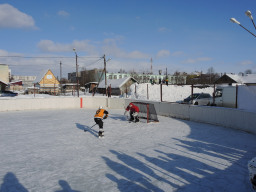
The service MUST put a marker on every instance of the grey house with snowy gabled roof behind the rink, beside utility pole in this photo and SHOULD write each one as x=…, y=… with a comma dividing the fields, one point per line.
x=118, y=86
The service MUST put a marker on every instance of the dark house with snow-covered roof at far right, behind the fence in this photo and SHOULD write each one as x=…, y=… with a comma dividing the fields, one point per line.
x=248, y=79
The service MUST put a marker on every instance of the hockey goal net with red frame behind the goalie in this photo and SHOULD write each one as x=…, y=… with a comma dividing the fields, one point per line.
x=147, y=111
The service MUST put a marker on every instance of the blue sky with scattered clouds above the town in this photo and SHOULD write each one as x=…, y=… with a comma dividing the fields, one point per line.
x=180, y=35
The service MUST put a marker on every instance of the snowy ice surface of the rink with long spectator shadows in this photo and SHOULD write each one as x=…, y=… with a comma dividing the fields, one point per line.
x=48, y=151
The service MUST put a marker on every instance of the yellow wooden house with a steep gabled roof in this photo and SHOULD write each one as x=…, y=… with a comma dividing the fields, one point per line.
x=48, y=83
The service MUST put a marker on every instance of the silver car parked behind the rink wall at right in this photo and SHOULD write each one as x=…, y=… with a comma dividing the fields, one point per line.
x=198, y=99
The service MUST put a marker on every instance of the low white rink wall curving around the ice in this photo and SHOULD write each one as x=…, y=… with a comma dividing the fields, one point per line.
x=227, y=117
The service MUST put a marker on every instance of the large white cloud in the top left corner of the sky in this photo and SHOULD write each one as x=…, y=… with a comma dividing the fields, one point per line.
x=10, y=17
